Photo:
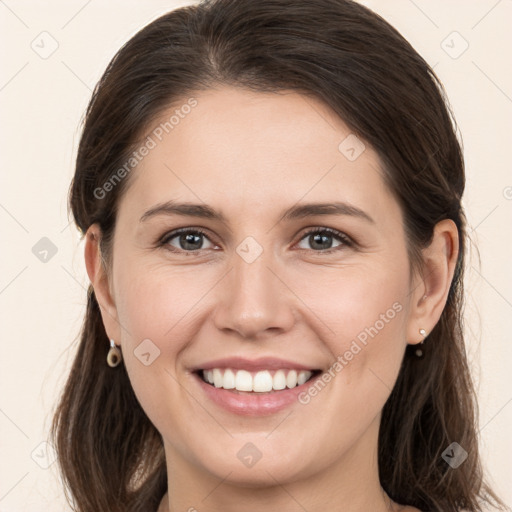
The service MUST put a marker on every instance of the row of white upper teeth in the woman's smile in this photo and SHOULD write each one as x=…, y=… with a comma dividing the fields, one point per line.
x=259, y=382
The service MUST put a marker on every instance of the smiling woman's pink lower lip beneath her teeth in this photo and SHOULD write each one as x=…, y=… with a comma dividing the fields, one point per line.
x=253, y=404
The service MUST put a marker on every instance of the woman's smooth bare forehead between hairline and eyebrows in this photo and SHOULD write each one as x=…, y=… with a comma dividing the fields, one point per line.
x=250, y=150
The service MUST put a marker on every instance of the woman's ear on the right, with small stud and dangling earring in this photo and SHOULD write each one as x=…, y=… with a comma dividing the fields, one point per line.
x=430, y=291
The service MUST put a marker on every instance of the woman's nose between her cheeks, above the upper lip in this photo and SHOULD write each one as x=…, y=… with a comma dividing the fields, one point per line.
x=254, y=300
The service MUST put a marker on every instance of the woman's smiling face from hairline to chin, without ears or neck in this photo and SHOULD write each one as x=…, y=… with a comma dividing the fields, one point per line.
x=256, y=287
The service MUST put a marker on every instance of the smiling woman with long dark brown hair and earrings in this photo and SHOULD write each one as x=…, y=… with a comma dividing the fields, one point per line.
x=270, y=194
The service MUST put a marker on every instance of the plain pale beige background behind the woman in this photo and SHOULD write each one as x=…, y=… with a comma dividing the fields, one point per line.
x=42, y=99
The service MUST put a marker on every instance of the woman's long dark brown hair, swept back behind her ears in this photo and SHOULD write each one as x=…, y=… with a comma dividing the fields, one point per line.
x=110, y=454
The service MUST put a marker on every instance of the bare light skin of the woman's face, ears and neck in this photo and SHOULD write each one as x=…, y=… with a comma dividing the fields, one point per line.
x=252, y=155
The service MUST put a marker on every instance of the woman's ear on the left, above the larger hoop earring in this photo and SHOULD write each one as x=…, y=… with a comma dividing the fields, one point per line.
x=99, y=278
